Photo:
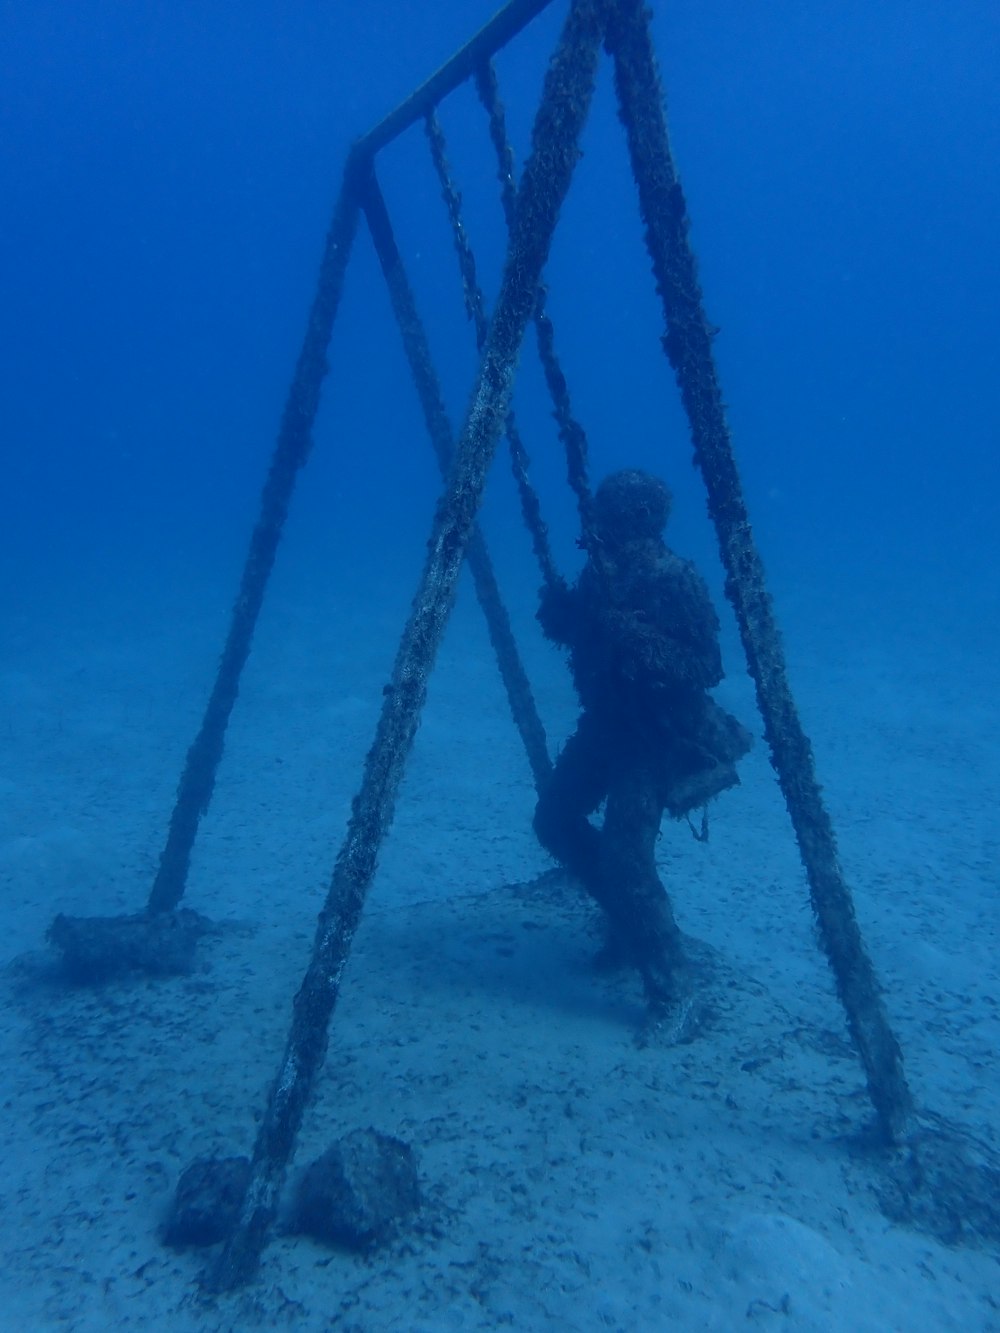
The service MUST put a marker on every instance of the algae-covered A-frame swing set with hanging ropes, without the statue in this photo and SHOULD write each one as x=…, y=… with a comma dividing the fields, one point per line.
x=947, y=1180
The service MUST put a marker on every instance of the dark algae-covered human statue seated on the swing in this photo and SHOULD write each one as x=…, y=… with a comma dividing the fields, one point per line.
x=645, y=654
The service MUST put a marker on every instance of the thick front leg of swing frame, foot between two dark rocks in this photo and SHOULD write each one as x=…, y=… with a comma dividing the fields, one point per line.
x=566, y=101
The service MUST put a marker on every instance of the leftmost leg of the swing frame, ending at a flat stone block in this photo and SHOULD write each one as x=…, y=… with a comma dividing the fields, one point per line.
x=291, y=453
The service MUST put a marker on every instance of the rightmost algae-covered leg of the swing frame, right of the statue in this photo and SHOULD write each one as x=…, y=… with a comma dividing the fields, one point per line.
x=689, y=345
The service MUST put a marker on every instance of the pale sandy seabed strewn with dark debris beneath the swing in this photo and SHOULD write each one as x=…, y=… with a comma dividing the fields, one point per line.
x=571, y=1180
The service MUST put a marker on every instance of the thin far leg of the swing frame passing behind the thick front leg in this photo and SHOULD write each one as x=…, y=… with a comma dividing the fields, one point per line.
x=418, y=350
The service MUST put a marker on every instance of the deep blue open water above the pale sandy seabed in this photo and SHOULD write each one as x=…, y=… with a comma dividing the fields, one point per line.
x=169, y=175
